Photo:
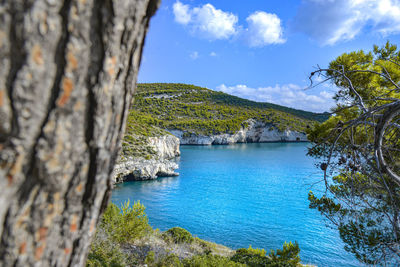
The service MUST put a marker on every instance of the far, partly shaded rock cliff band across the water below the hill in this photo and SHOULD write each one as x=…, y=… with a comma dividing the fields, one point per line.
x=255, y=132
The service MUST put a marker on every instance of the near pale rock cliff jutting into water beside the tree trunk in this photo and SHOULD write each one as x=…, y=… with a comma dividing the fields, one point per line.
x=161, y=165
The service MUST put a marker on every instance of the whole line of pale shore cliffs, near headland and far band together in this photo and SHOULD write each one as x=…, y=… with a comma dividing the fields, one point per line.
x=166, y=149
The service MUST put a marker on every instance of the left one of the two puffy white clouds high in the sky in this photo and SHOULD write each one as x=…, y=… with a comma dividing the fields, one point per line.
x=206, y=21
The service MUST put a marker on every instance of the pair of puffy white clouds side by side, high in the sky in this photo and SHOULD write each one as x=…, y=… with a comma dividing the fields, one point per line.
x=215, y=24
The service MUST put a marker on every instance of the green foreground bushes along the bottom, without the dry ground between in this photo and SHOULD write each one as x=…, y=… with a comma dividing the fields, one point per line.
x=124, y=225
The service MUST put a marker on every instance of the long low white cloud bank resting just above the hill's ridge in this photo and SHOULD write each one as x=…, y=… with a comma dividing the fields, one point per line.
x=290, y=95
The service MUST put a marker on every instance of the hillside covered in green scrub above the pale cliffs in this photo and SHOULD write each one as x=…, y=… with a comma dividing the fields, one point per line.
x=203, y=111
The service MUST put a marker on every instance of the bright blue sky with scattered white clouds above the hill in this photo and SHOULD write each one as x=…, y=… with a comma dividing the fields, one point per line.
x=263, y=50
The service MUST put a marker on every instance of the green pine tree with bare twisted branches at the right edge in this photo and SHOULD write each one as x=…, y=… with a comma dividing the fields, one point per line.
x=362, y=197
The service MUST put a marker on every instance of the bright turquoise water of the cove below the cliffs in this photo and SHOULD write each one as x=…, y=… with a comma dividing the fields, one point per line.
x=243, y=194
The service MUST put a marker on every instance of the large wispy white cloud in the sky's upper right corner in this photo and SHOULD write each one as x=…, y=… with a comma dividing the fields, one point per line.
x=332, y=21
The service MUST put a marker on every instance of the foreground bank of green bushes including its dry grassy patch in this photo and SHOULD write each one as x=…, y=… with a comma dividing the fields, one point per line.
x=124, y=238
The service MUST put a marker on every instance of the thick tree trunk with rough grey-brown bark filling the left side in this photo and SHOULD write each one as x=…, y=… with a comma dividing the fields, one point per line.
x=67, y=73
